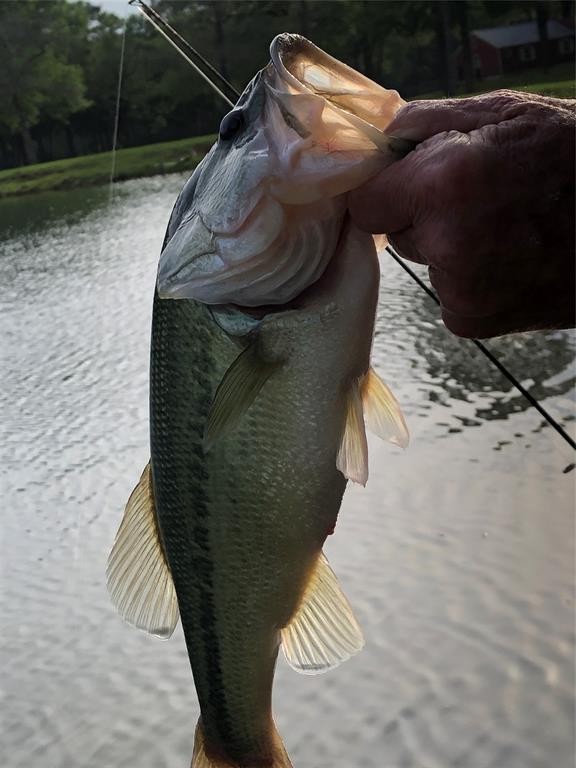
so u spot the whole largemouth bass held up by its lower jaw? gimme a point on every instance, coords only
(259, 393)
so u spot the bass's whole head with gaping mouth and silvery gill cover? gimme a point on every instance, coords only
(269, 200)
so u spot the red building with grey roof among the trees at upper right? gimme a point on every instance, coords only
(518, 46)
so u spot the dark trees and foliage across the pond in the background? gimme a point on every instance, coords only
(59, 79)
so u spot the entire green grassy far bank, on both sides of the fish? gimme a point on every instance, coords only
(185, 154)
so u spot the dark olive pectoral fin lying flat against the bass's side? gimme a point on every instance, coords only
(236, 393)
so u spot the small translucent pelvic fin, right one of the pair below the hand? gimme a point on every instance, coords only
(381, 410)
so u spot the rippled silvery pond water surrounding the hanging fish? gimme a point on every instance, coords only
(457, 557)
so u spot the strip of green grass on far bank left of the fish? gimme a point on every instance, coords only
(92, 170)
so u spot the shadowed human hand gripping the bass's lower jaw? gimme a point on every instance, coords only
(487, 202)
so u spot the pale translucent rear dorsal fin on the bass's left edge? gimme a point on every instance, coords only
(138, 575)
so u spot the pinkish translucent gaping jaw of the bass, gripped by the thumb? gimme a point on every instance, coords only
(340, 113)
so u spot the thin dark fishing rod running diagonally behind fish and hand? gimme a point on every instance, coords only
(227, 91)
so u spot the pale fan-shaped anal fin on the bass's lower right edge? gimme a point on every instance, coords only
(323, 632)
